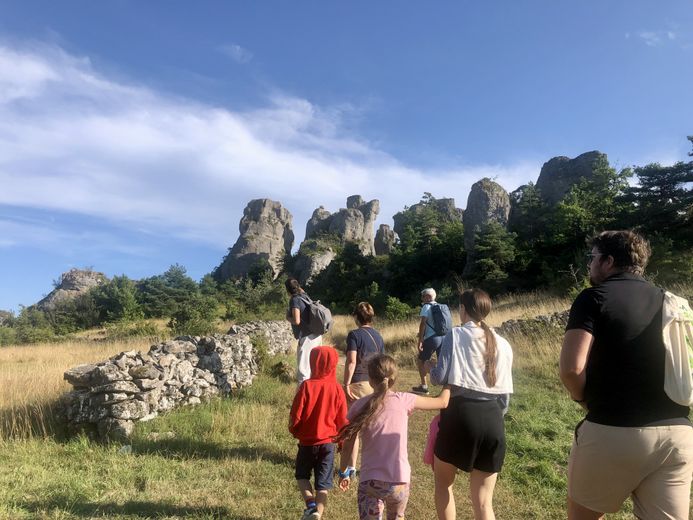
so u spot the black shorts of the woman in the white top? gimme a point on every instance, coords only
(472, 435)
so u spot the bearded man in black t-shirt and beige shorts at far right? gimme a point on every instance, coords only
(634, 441)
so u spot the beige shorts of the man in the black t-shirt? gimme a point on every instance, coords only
(654, 465)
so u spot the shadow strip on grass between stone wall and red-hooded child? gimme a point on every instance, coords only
(187, 448)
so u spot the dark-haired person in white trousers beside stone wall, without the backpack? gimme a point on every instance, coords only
(298, 317)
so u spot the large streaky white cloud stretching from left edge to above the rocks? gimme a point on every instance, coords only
(73, 140)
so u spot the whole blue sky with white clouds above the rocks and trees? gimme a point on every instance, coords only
(132, 134)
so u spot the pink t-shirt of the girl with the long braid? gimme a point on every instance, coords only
(384, 439)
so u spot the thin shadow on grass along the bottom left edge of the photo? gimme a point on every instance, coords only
(134, 509)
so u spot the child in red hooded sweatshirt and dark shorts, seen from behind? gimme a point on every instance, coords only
(317, 414)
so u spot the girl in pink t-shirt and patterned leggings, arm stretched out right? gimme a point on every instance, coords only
(382, 419)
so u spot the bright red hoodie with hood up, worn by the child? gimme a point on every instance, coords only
(319, 408)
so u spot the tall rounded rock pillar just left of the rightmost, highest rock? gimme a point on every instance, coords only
(487, 202)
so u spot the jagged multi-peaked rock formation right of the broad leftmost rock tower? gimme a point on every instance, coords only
(326, 232)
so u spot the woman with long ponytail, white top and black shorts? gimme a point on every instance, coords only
(476, 362)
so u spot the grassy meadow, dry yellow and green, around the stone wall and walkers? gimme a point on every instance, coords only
(233, 458)
